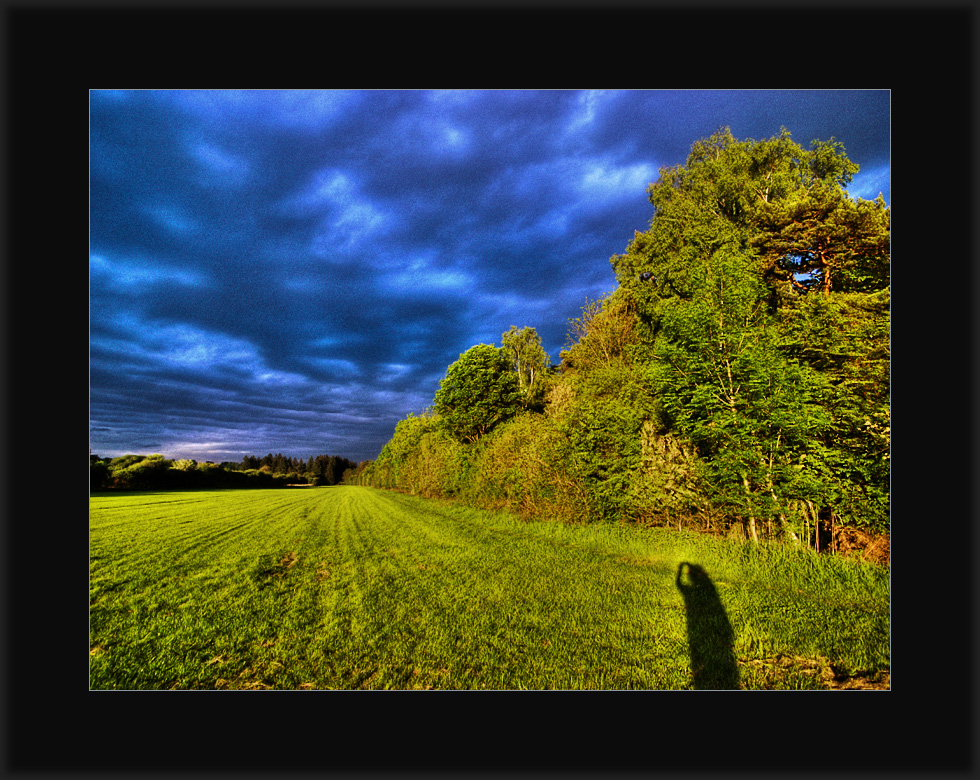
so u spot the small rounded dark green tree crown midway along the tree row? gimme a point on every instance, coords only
(478, 393)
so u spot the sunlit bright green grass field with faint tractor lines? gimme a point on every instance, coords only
(350, 587)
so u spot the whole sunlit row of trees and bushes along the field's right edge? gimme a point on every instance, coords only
(736, 379)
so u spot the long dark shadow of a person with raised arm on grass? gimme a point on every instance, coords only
(709, 633)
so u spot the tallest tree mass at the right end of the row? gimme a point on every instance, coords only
(785, 396)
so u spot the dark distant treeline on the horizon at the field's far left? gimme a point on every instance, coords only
(155, 472)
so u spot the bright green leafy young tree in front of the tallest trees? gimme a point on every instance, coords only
(724, 385)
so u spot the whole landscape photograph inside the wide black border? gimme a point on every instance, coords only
(490, 390)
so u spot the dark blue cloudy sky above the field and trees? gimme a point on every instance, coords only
(293, 271)
